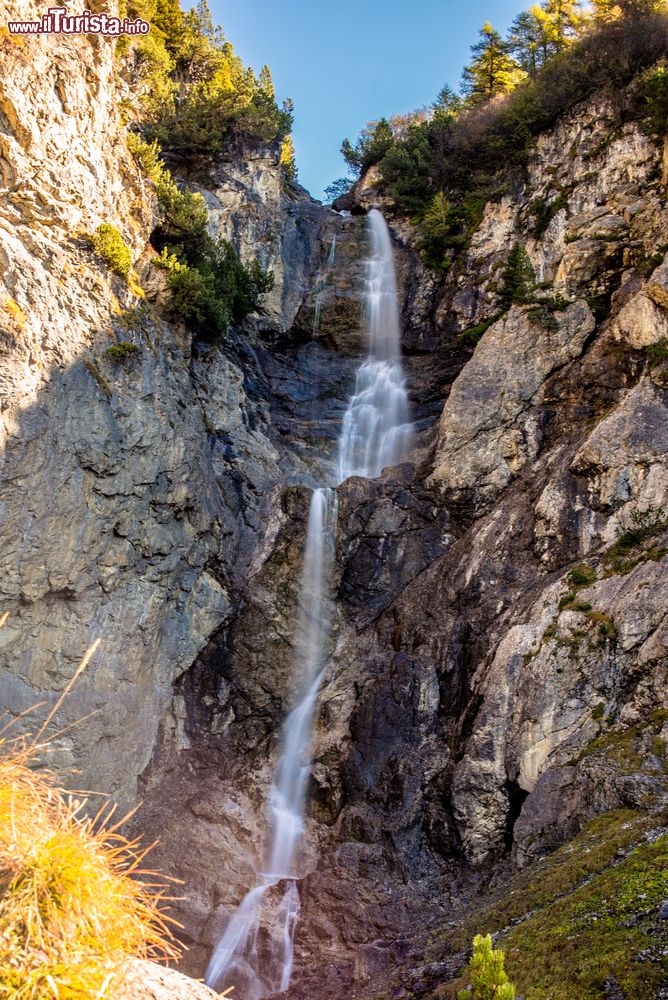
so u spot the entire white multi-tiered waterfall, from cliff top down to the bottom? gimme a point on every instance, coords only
(255, 953)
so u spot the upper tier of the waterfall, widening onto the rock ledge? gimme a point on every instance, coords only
(376, 432)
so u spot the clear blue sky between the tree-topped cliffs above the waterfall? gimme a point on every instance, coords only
(346, 63)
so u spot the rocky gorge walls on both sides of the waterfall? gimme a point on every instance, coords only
(492, 639)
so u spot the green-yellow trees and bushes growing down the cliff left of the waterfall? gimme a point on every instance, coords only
(194, 99)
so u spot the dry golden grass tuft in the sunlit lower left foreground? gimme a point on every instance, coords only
(75, 902)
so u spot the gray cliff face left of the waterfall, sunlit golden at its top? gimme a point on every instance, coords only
(134, 494)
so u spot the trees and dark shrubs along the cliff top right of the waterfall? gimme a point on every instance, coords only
(441, 165)
